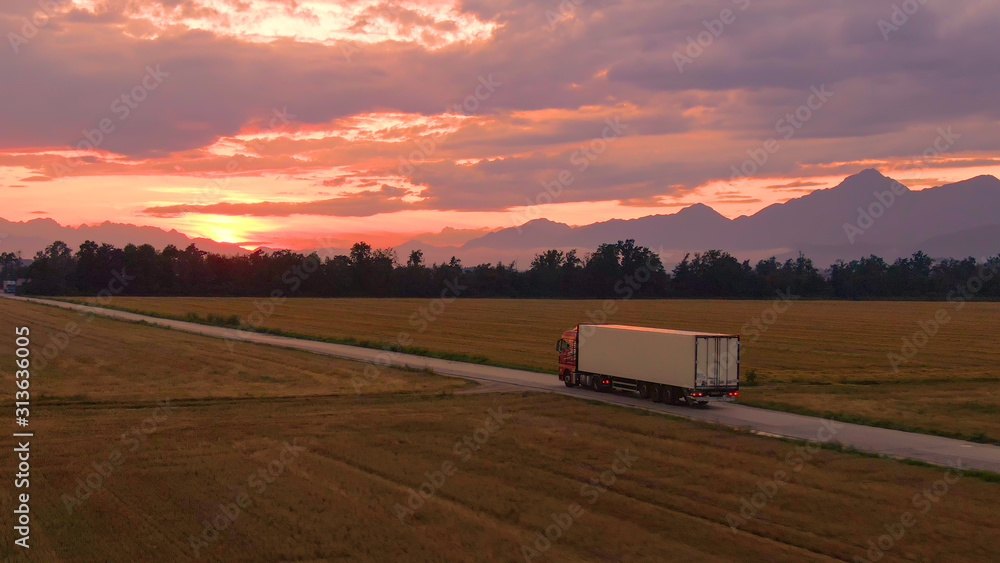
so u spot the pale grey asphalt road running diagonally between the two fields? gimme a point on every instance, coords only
(895, 443)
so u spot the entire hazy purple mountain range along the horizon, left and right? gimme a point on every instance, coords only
(867, 213)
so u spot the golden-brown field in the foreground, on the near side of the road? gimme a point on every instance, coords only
(276, 449)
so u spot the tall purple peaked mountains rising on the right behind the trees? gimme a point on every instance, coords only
(953, 220)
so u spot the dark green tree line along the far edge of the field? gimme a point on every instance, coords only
(614, 270)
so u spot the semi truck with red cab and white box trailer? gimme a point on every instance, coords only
(665, 366)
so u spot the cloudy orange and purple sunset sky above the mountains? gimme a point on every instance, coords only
(281, 123)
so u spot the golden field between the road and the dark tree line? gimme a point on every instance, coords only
(816, 357)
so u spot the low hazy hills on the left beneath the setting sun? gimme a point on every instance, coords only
(31, 236)
